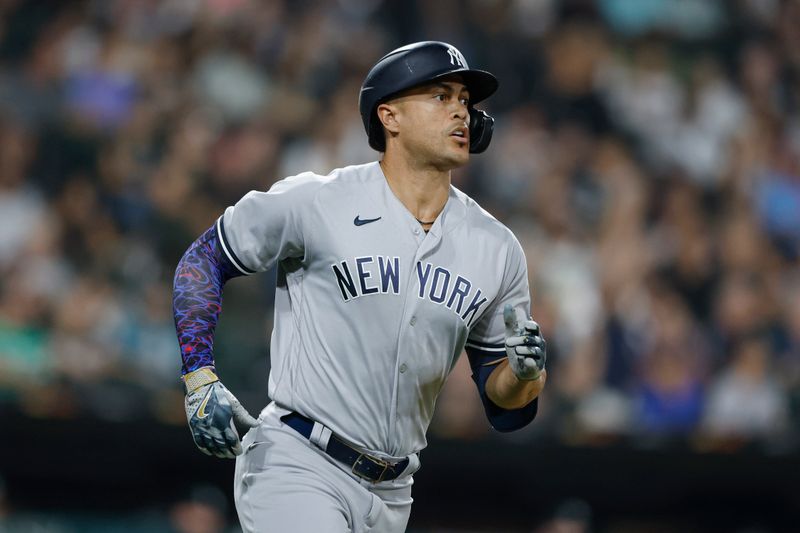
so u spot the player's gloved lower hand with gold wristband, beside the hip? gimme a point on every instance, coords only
(211, 410)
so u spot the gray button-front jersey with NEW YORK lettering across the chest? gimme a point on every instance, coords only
(371, 312)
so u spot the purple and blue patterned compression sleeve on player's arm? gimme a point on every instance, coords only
(197, 298)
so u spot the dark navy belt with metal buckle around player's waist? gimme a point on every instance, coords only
(363, 465)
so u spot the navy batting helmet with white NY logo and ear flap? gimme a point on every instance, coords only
(413, 65)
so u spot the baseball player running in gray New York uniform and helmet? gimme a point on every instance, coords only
(386, 272)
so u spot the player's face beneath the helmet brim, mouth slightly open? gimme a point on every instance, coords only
(432, 123)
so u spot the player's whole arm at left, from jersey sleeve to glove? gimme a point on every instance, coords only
(261, 228)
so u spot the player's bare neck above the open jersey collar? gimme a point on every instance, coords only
(423, 191)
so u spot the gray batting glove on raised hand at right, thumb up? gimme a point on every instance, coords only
(526, 349)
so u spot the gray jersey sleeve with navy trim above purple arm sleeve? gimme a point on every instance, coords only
(264, 227)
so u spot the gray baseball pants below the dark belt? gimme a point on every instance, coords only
(285, 484)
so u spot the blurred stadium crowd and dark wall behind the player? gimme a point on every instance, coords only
(647, 154)
